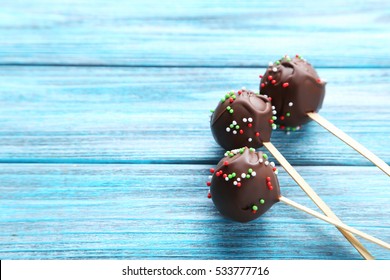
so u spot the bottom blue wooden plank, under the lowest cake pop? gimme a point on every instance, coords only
(60, 211)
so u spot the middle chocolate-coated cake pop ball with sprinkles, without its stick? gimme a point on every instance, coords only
(242, 119)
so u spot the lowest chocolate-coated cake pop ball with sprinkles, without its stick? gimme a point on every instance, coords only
(241, 197)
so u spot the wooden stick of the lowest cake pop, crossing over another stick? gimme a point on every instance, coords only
(334, 222)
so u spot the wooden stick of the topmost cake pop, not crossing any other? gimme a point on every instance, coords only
(350, 141)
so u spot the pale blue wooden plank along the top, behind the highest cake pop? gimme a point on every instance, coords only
(194, 33)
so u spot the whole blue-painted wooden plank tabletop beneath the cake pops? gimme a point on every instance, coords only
(104, 136)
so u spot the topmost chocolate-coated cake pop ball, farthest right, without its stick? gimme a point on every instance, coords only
(295, 89)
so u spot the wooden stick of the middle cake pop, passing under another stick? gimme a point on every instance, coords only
(315, 198)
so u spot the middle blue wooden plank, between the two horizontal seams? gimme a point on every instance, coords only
(142, 115)
